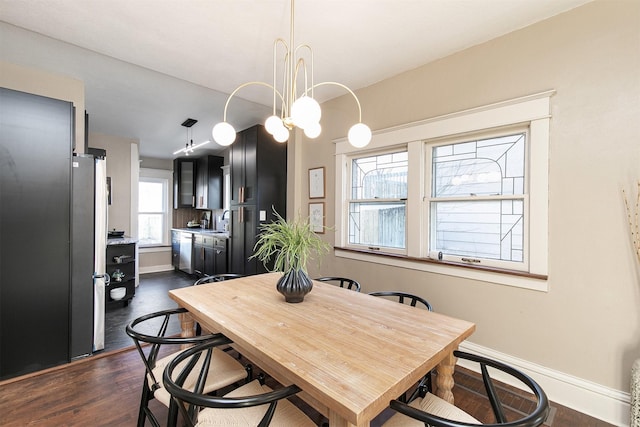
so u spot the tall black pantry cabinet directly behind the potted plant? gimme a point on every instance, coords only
(258, 185)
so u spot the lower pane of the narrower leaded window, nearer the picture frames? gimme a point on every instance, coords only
(377, 224)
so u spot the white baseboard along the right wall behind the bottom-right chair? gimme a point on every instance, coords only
(595, 400)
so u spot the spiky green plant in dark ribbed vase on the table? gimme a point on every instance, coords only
(291, 244)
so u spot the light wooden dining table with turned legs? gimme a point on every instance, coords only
(350, 353)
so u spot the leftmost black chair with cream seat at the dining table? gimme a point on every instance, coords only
(153, 329)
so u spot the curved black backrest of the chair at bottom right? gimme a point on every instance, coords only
(535, 417)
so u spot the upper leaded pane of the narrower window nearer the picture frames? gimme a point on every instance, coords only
(380, 177)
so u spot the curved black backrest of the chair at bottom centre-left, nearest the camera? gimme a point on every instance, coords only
(190, 401)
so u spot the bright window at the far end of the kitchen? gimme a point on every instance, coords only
(153, 207)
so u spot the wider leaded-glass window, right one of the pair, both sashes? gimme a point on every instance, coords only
(477, 201)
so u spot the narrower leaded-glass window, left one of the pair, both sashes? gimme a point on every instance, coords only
(377, 205)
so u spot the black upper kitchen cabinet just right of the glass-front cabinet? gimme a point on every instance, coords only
(209, 182)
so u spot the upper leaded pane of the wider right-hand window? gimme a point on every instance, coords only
(492, 166)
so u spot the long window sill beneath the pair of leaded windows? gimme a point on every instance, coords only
(518, 279)
